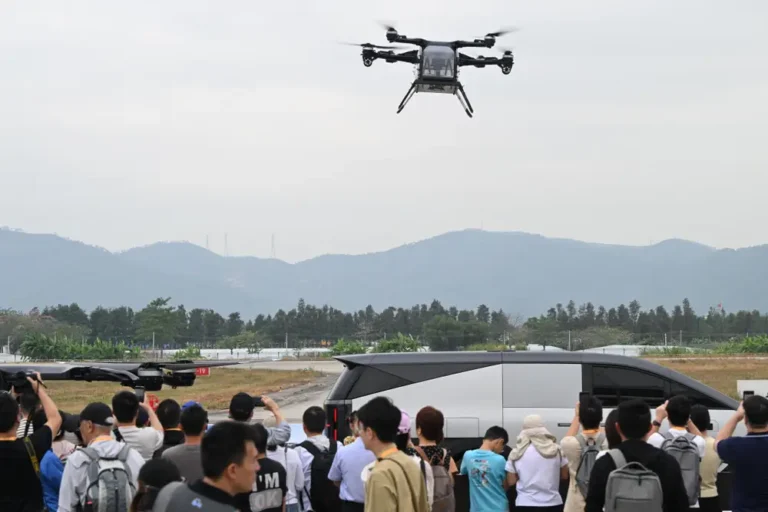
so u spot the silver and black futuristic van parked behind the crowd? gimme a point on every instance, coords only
(477, 390)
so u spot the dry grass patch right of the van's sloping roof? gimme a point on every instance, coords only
(720, 373)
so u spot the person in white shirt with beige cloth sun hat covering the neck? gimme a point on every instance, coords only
(537, 465)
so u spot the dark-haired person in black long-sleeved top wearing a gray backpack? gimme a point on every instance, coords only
(634, 425)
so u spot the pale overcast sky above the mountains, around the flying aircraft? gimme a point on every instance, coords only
(128, 123)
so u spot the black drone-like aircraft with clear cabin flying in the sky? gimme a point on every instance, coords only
(437, 62)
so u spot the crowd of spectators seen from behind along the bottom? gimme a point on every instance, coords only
(127, 457)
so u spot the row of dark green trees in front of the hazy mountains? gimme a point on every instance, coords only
(440, 327)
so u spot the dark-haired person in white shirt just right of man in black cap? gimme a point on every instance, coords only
(146, 441)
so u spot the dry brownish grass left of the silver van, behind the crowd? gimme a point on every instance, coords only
(214, 391)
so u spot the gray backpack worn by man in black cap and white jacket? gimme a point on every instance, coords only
(109, 485)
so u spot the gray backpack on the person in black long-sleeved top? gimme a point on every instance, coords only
(632, 487)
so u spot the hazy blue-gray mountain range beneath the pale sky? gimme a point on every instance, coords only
(519, 272)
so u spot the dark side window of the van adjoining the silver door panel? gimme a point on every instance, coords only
(614, 384)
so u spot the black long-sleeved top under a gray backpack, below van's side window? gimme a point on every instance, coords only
(663, 464)
